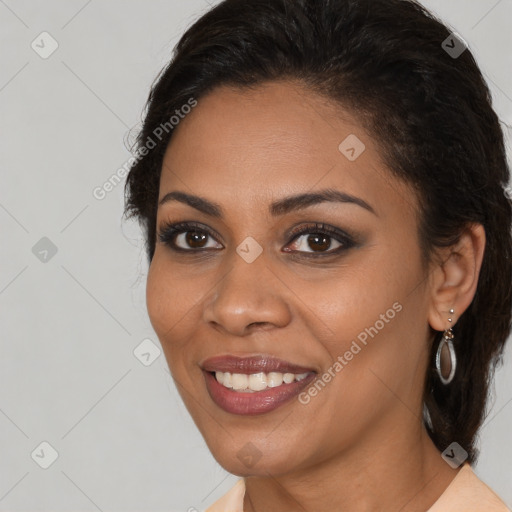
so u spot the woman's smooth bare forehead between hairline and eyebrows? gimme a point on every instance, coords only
(249, 146)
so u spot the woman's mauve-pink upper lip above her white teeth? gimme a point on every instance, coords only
(251, 364)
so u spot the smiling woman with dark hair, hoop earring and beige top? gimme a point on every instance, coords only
(322, 189)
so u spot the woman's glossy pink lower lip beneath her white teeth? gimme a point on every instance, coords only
(257, 402)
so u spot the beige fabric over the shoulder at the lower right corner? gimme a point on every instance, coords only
(467, 493)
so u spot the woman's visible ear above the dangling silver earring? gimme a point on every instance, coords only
(454, 278)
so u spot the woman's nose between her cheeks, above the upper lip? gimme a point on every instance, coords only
(248, 297)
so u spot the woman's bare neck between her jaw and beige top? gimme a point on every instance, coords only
(395, 473)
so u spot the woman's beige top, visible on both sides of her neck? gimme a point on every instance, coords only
(466, 493)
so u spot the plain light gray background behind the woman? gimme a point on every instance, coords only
(70, 324)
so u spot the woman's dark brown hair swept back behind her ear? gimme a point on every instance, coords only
(429, 111)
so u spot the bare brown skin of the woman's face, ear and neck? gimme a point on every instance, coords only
(360, 444)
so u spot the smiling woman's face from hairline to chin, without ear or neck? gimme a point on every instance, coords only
(344, 313)
